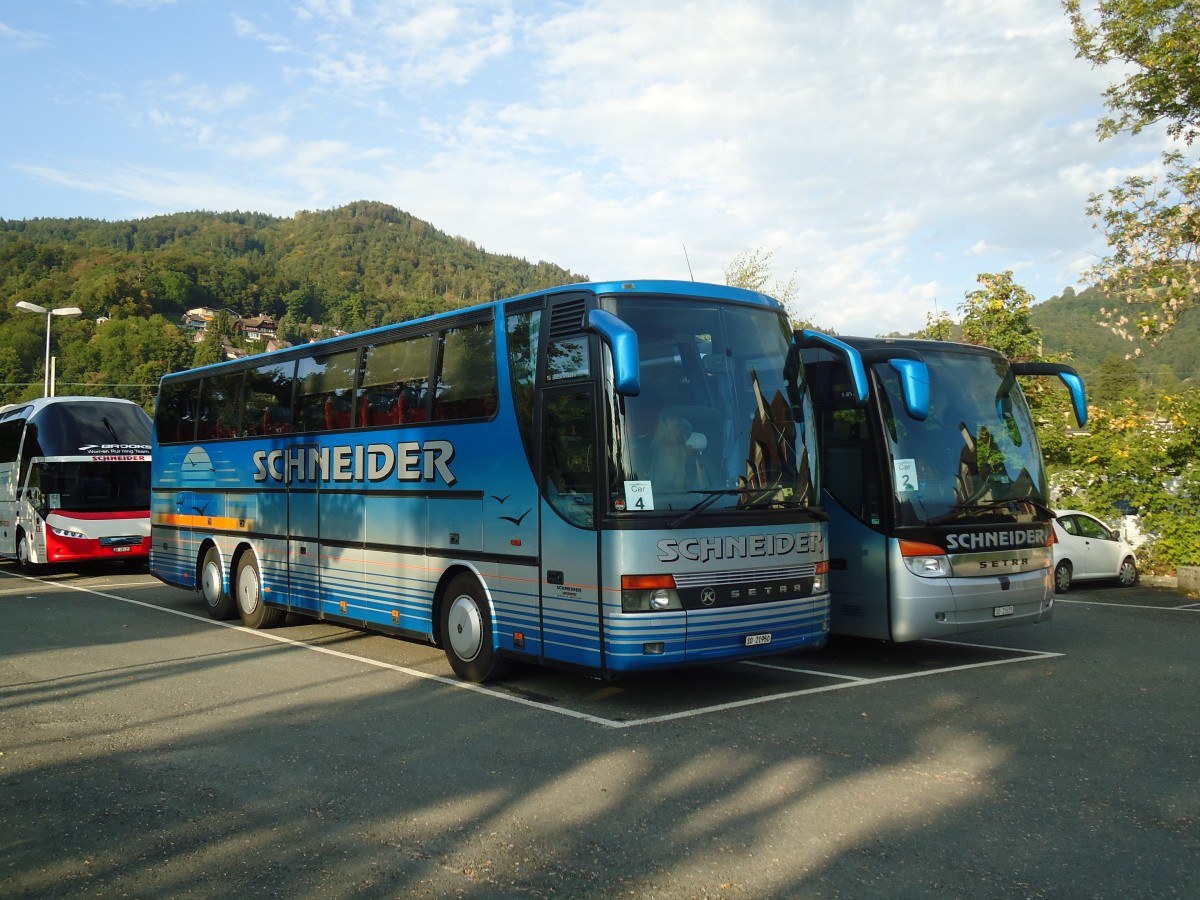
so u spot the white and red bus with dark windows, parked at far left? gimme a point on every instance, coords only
(75, 482)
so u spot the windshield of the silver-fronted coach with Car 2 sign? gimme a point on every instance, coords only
(976, 454)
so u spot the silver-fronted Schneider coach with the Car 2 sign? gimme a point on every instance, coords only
(935, 488)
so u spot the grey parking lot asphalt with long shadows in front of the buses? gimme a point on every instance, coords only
(149, 752)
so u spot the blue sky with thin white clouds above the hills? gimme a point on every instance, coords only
(885, 152)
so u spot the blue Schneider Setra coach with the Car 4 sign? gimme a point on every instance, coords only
(608, 477)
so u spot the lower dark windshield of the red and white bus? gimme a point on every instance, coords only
(89, 487)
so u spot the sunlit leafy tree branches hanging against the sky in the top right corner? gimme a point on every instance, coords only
(1151, 225)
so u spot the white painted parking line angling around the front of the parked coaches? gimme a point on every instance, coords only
(844, 681)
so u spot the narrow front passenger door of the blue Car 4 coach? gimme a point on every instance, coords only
(571, 585)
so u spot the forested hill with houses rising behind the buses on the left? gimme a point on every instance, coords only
(357, 267)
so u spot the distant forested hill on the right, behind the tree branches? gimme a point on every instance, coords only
(1075, 325)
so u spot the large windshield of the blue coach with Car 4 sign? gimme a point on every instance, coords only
(721, 419)
